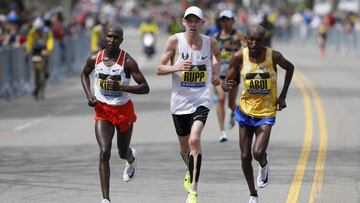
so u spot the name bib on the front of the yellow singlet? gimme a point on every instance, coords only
(258, 83)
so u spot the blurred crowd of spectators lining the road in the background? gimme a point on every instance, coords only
(85, 14)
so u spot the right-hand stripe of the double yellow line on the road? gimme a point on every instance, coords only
(322, 148)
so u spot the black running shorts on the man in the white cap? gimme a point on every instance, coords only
(184, 122)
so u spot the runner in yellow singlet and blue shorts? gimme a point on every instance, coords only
(258, 102)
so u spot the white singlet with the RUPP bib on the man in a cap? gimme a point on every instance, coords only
(190, 89)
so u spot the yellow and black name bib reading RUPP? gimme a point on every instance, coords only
(195, 77)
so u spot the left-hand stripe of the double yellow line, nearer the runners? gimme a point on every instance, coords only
(305, 150)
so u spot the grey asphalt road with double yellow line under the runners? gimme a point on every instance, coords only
(48, 151)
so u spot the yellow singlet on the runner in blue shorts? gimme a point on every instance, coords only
(259, 94)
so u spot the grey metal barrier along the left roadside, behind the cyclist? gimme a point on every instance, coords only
(16, 75)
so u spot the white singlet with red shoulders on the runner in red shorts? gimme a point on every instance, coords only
(115, 72)
